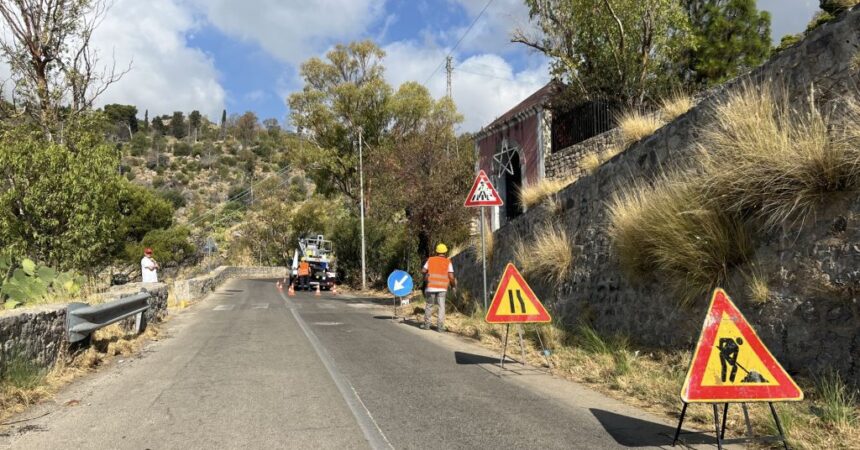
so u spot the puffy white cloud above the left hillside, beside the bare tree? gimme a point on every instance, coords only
(167, 75)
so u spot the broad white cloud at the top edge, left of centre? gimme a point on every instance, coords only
(292, 30)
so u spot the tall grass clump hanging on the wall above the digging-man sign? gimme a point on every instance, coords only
(670, 229)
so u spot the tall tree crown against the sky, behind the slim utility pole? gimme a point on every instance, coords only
(341, 95)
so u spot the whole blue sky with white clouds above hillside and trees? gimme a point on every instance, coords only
(244, 55)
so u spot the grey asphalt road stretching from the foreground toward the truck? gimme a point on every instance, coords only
(249, 367)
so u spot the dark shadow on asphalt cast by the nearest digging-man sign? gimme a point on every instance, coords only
(633, 432)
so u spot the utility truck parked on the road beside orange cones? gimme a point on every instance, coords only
(319, 254)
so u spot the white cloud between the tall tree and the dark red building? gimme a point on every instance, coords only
(484, 86)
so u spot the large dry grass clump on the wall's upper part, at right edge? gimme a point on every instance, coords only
(774, 163)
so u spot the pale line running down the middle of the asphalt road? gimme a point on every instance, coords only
(372, 433)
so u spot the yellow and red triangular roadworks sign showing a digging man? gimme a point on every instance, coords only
(731, 364)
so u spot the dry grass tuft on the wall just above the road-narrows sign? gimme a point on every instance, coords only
(549, 255)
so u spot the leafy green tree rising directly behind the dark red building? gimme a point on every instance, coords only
(615, 49)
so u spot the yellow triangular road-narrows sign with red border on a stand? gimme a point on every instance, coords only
(515, 302)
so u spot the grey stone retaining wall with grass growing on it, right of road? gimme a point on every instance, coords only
(812, 318)
